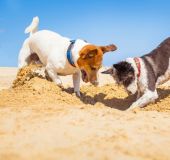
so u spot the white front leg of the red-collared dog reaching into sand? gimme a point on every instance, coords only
(148, 96)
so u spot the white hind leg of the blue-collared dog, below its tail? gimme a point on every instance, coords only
(24, 54)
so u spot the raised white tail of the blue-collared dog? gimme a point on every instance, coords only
(33, 27)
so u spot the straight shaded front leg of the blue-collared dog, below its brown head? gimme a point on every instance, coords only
(76, 83)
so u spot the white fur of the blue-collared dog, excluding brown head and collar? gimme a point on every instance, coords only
(51, 48)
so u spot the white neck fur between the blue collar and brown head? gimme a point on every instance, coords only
(79, 44)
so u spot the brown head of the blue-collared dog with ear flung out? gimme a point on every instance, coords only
(90, 61)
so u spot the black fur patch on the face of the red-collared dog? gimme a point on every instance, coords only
(125, 73)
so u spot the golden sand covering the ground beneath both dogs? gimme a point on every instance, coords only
(40, 120)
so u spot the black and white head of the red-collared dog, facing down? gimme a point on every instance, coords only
(124, 74)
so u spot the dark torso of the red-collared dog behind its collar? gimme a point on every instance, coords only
(157, 62)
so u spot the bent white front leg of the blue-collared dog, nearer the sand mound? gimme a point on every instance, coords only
(53, 75)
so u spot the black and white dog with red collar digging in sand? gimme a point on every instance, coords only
(142, 75)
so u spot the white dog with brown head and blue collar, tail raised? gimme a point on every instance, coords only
(61, 56)
